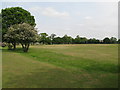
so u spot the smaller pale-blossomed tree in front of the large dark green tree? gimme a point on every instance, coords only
(23, 34)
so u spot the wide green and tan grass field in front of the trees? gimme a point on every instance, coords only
(62, 66)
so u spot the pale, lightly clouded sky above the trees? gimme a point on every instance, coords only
(87, 19)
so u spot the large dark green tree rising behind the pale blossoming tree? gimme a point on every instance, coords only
(15, 15)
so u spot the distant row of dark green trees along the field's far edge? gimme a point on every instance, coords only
(44, 38)
